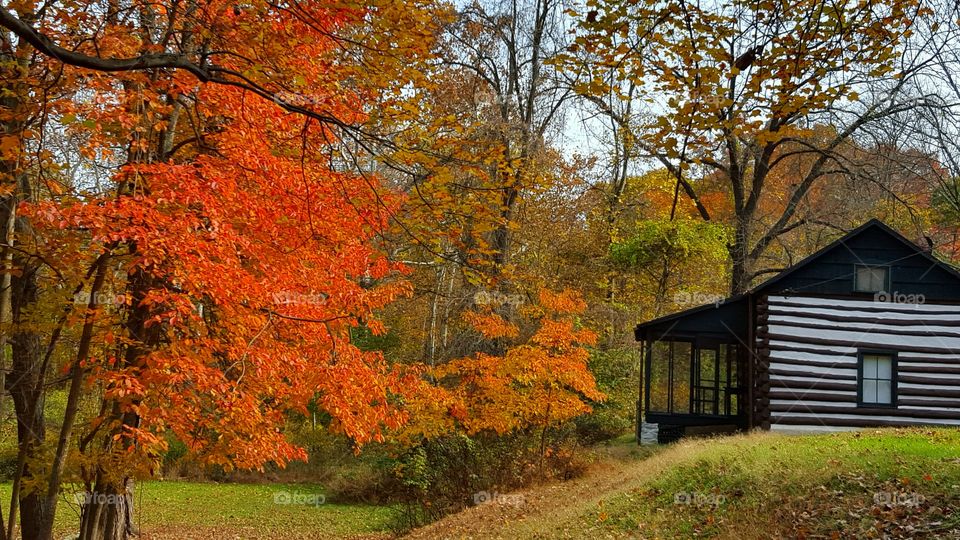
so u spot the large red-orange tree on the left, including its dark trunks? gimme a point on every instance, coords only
(212, 268)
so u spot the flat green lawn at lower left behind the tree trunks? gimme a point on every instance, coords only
(207, 510)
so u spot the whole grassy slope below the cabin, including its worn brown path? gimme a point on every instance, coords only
(893, 483)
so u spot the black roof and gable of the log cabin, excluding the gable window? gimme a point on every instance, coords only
(827, 271)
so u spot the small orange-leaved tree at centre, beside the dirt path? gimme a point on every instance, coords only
(541, 378)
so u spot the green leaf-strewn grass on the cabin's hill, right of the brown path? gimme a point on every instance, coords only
(826, 485)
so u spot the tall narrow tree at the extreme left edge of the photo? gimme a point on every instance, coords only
(26, 86)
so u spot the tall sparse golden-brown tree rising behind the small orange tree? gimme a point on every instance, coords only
(493, 114)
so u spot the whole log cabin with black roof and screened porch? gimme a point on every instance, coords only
(865, 332)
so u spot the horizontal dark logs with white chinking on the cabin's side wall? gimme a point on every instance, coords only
(812, 345)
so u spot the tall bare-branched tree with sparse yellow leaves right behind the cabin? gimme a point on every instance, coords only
(731, 86)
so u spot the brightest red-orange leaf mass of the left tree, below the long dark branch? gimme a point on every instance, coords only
(262, 261)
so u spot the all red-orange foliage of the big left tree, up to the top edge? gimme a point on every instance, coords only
(259, 251)
